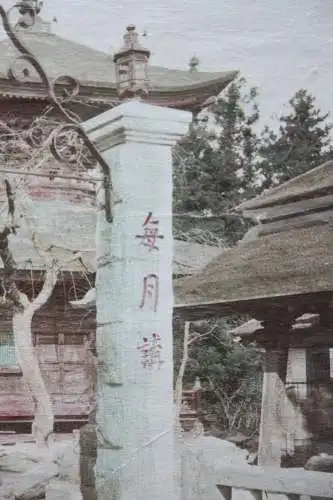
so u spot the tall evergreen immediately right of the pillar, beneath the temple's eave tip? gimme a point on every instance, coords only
(213, 164)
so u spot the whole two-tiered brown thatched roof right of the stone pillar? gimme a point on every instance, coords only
(292, 257)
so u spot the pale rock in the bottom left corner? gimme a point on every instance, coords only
(28, 485)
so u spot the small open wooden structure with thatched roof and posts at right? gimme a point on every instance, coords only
(281, 275)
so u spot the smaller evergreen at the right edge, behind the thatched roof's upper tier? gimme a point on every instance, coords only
(302, 142)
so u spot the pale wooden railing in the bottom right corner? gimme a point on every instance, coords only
(244, 483)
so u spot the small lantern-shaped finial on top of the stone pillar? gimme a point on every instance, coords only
(132, 66)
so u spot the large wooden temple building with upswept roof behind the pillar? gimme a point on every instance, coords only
(63, 212)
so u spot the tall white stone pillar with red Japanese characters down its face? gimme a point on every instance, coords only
(134, 300)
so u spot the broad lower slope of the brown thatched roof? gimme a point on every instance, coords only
(288, 263)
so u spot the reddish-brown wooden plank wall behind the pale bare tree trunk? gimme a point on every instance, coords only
(58, 334)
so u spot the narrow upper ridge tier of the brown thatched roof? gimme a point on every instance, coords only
(315, 182)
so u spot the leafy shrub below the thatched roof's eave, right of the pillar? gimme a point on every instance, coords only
(230, 375)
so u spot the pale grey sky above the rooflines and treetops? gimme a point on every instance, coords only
(278, 46)
